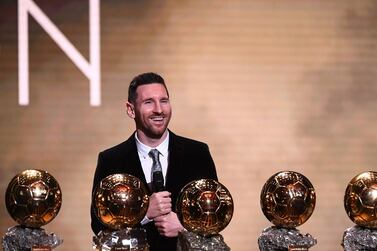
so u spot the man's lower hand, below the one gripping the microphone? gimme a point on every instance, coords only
(168, 225)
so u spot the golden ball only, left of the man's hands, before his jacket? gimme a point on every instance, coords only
(121, 201)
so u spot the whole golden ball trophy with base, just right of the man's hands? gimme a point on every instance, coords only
(204, 207)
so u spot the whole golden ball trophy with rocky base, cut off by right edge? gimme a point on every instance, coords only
(360, 202)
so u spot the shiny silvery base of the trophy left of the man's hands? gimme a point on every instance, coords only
(129, 239)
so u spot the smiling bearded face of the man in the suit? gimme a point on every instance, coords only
(151, 110)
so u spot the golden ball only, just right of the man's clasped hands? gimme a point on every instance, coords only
(204, 207)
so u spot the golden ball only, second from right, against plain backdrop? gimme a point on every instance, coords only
(288, 199)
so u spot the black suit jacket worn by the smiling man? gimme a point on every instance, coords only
(189, 160)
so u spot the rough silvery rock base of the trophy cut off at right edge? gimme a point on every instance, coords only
(359, 238)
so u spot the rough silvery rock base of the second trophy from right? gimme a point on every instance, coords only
(284, 239)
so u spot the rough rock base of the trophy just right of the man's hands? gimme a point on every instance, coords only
(188, 241)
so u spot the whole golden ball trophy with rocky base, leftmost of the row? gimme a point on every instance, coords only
(33, 199)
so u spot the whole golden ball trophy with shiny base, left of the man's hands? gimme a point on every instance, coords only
(121, 202)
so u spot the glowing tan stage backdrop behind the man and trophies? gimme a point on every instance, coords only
(269, 85)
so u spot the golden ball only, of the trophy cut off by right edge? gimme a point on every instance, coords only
(360, 199)
